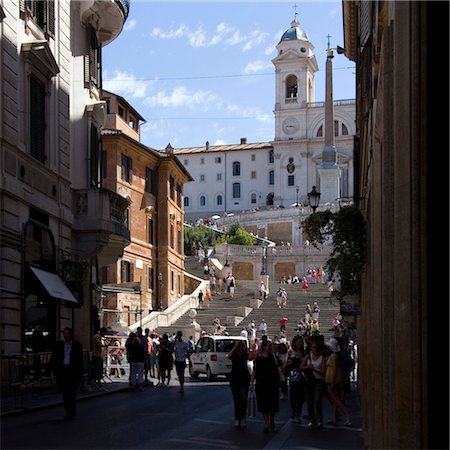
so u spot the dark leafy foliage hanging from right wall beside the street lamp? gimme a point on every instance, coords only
(347, 230)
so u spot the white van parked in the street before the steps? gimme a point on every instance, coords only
(210, 356)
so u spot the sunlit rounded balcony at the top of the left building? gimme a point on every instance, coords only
(106, 16)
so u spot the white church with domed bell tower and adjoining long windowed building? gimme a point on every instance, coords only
(279, 173)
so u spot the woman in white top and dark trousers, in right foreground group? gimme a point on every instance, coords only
(314, 362)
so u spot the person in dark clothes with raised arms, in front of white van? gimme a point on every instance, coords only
(239, 381)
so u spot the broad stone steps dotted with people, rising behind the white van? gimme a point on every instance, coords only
(247, 306)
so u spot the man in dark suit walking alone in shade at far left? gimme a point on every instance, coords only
(67, 361)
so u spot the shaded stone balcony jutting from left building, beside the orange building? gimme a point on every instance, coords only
(100, 224)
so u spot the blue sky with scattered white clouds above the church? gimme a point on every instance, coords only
(202, 71)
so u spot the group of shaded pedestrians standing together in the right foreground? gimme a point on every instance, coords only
(303, 371)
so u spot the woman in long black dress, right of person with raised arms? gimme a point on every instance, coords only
(267, 380)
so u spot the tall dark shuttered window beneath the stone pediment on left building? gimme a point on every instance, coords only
(37, 119)
